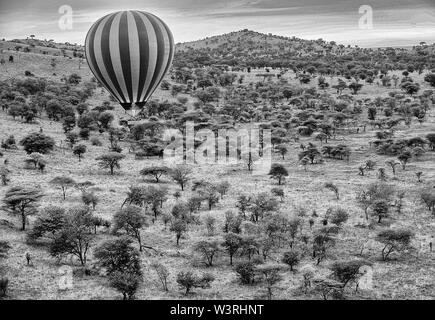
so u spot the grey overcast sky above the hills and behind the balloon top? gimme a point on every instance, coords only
(395, 22)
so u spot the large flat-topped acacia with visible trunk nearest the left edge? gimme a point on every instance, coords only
(23, 202)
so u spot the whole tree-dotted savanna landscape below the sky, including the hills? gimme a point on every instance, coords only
(347, 210)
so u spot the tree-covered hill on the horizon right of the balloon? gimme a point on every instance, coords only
(249, 48)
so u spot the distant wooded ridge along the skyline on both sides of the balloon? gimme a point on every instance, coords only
(238, 44)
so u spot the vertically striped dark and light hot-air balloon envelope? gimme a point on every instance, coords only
(129, 52)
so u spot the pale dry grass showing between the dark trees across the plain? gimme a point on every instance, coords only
(405, 278)
